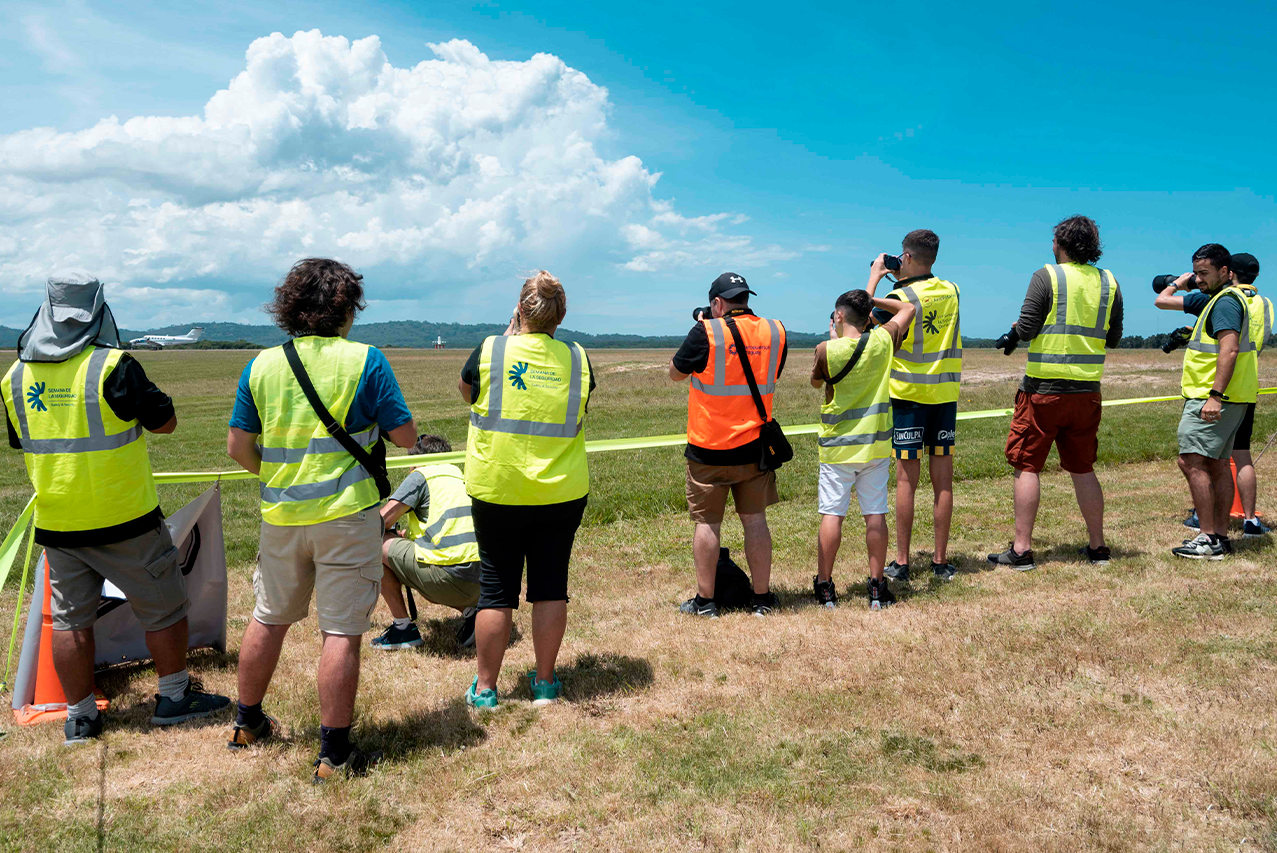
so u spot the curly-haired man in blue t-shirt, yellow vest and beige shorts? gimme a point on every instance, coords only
(321, 531)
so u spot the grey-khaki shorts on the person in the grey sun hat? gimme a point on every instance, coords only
(144, 568)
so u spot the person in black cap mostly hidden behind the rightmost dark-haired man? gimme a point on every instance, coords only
(1244, 269)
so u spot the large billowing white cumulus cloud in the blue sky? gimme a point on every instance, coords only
(460, 167)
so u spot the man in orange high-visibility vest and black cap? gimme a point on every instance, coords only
(725, 430)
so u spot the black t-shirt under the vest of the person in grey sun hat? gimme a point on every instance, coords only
(131, 395)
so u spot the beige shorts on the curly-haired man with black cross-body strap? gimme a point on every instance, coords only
(339, 560)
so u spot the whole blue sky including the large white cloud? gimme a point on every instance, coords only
(790, 149)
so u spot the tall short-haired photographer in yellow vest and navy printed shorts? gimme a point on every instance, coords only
(926, 377)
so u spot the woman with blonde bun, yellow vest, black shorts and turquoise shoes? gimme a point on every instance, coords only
(528, 481)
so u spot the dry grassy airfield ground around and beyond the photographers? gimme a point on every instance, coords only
(1072, 708)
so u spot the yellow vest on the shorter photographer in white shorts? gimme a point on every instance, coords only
(856, 425)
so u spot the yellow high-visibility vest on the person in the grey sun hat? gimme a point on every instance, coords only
(89, 468)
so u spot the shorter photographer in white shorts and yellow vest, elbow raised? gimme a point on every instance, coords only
(855, 370)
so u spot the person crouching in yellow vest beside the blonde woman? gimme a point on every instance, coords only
(439, 559)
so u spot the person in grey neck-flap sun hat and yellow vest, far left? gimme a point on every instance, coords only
(77, 407)
